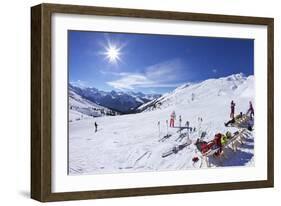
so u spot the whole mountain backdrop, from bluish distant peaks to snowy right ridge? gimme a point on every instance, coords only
(116, 103)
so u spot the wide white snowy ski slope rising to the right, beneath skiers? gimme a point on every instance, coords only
(130, 143)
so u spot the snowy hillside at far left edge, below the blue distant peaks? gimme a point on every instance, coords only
(80, 107)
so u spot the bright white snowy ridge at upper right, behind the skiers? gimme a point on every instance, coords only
(223, 87)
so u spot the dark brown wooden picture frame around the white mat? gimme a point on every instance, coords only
(41, 97)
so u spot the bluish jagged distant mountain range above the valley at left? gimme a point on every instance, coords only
(121, 102)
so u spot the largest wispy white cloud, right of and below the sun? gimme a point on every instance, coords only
(164, 74)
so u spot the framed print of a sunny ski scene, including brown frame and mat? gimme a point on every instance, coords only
(130, 102)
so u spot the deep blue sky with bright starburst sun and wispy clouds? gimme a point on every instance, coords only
(153, 63)
